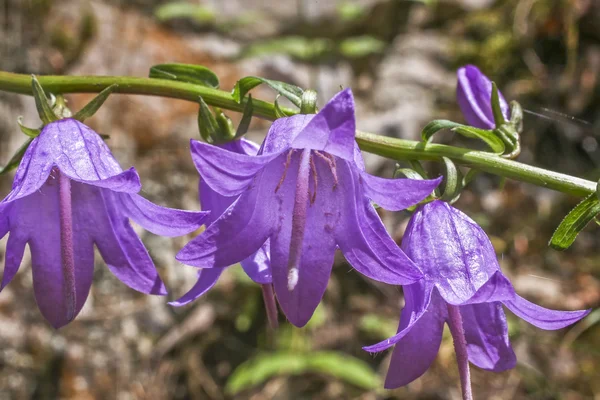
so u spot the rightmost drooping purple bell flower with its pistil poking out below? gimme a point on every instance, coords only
(461, 270)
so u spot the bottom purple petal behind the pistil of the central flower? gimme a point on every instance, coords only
(317, 249)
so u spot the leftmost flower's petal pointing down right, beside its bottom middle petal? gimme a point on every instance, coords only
(119, 245)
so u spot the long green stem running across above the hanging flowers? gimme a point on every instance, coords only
(397, 149)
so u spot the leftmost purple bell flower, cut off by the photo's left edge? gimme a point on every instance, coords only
(68, 195)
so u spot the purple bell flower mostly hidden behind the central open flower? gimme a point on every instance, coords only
(257, 266)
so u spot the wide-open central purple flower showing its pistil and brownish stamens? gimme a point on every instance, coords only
(307, 192)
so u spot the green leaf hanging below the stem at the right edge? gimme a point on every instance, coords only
(574, 222)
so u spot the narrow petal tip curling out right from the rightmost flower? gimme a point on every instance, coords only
(542, 317)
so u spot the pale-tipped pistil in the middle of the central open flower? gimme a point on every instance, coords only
(299, 219)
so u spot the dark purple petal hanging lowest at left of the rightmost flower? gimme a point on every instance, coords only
(415, 353)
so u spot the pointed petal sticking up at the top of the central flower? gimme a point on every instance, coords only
(333, 129)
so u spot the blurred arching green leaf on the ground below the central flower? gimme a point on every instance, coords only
(263, 367)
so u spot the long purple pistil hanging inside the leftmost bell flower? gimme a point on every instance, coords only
(66, 243)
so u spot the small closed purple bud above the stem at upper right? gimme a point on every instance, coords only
(473, 93)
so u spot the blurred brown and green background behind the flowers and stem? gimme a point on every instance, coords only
(400, 59)
